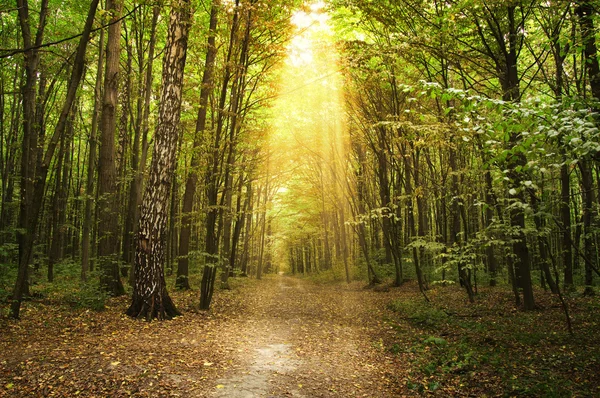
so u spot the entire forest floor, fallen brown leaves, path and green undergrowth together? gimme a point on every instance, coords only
(290, 337)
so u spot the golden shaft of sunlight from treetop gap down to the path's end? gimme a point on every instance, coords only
(308, 145)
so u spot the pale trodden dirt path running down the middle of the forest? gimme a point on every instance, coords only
(307, 340)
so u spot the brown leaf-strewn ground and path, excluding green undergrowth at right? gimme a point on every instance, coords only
(279, 337)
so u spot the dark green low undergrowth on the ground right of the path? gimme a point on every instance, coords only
(492, 349)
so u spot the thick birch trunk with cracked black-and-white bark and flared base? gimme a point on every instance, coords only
(150, 297)
